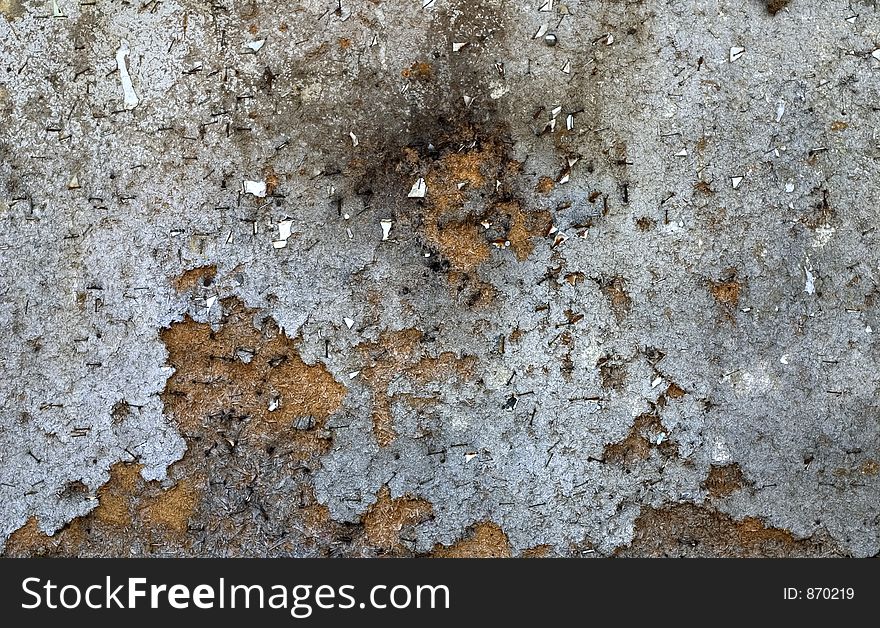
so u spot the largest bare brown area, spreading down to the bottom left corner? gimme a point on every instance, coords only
(219, 396)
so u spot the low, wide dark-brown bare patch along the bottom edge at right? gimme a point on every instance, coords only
(687, 530)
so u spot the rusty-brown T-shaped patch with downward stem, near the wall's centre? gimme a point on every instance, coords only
(401, 354)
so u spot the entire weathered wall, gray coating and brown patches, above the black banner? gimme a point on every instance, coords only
(397, 278)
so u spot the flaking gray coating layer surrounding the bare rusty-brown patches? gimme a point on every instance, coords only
(782, 382)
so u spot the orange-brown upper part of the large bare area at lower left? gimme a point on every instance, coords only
(258, 372)
